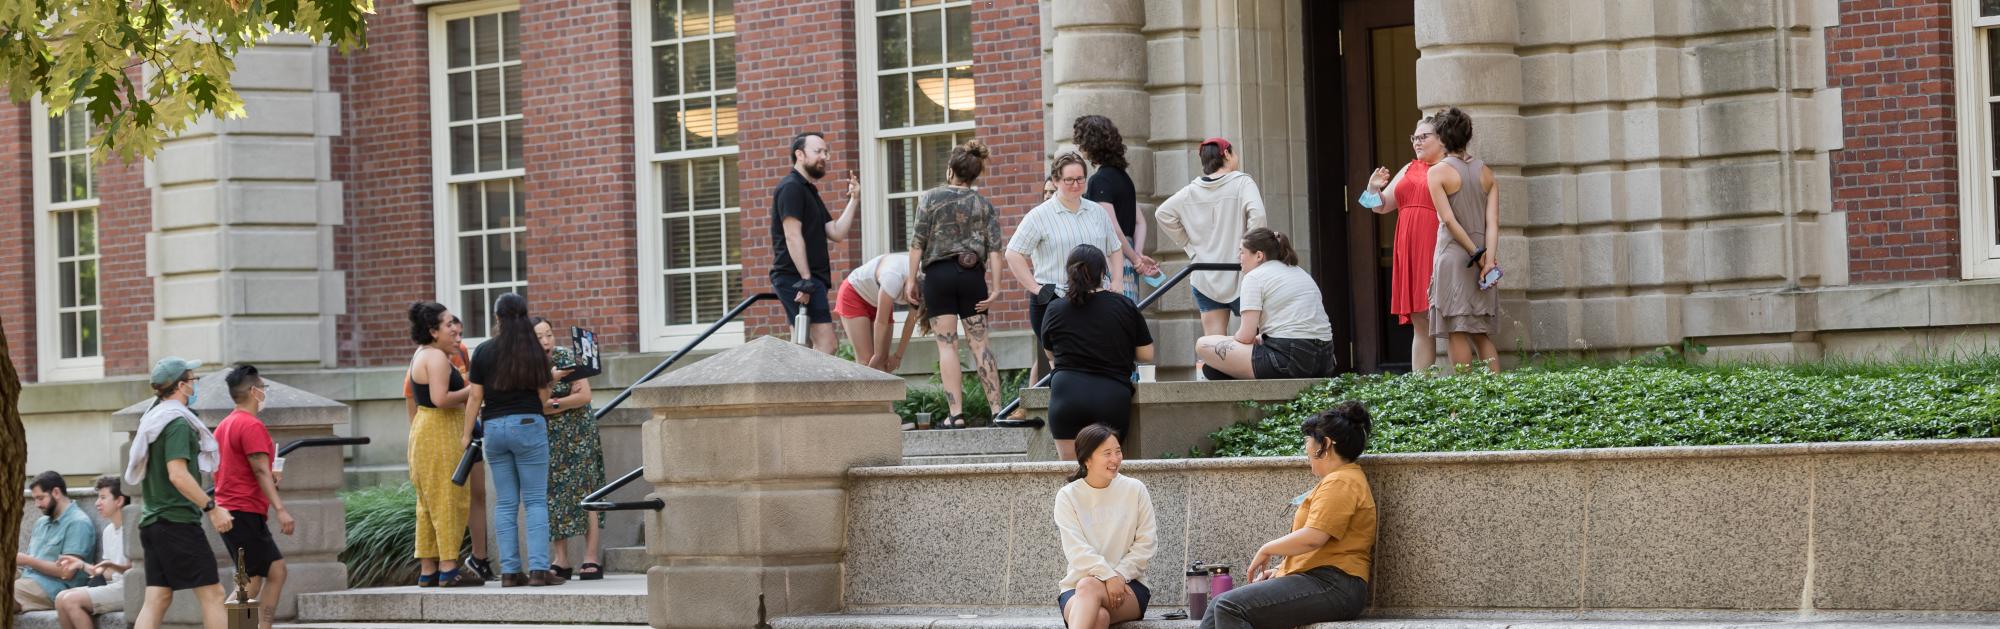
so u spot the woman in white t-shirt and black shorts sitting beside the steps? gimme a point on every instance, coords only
(1285, 332)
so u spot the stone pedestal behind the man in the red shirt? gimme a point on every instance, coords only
(311, 480)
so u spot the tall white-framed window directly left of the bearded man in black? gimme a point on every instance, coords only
(689, 151)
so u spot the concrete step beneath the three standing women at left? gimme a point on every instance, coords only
(617, 600)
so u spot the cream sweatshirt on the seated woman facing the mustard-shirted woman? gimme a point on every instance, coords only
(1105, 532)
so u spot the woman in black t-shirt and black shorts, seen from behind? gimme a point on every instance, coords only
(1097, 346)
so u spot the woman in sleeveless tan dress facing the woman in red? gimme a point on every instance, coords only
(1469, 237)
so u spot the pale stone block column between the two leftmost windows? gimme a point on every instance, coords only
(245, 215)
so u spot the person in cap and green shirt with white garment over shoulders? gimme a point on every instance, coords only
(171, 524)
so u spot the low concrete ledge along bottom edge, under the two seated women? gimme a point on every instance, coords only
(989, 618)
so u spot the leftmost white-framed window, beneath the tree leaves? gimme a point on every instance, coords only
(67, 221)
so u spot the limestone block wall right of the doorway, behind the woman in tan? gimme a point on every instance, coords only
(1655, 159)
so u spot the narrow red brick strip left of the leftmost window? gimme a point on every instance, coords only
(17, 237)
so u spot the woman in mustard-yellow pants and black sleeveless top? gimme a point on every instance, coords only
(439, 396)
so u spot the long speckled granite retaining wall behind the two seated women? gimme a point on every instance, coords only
(1785, 528)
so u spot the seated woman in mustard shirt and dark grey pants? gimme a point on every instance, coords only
(1325, 572)
